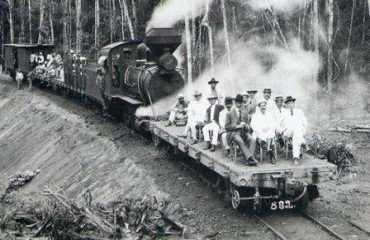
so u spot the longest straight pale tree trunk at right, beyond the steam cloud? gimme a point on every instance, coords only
(330, 10)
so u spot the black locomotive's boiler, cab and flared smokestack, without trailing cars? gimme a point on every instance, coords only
(140, 73)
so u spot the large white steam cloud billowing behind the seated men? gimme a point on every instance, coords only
(290, 73)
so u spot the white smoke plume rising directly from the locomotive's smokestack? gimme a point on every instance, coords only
(172, 11)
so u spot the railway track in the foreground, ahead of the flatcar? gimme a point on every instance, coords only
(297, 225)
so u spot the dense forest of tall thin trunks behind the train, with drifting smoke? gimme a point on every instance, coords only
(329, 38)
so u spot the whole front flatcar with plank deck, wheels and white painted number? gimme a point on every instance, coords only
(277, 187)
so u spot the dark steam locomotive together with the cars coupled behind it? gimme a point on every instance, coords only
(136, 73)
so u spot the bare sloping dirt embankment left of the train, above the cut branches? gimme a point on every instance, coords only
(37, 134)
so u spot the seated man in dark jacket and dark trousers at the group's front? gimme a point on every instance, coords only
(236, 125)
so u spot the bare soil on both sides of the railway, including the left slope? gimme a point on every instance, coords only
(76, 149)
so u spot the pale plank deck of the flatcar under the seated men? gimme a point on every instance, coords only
(310, 169)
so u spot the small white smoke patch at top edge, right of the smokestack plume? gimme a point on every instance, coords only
(284, 6)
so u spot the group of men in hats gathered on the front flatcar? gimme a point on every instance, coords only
(243, 121)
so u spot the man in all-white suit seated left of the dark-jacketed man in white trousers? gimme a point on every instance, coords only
(196, 115)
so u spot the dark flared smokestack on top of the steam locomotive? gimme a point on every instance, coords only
(161, 40)
